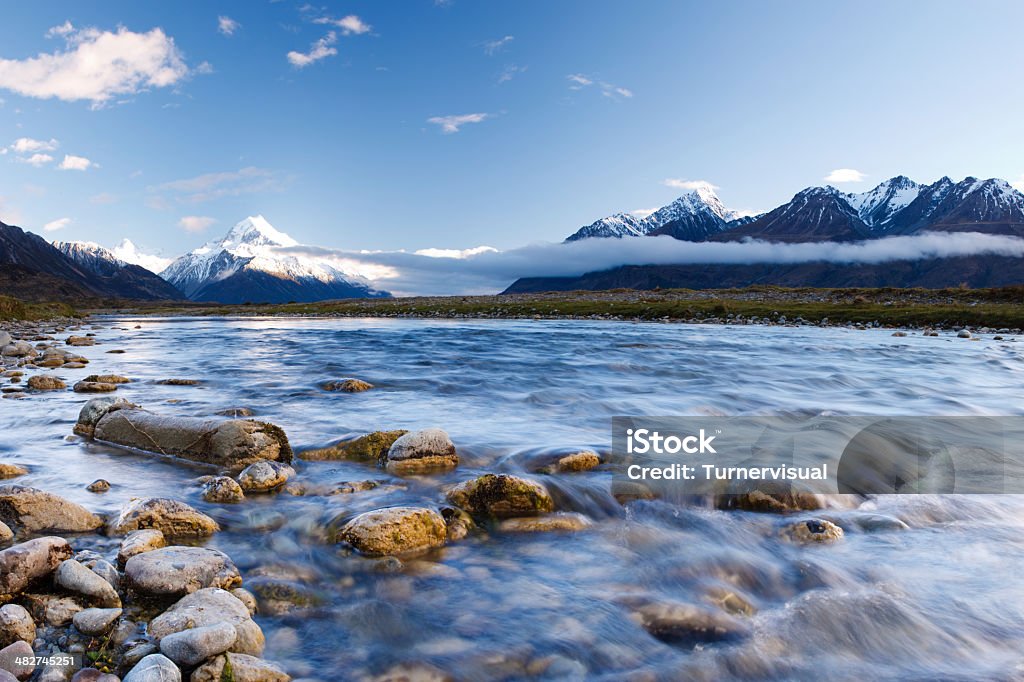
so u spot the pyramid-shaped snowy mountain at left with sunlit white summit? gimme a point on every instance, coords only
(249, 265)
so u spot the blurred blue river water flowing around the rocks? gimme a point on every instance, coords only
(942, 599)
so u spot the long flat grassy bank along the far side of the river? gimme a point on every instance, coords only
(900, 308)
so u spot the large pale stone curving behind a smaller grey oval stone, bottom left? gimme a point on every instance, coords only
(207, 608)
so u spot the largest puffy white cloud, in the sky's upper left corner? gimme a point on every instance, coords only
(98, 66)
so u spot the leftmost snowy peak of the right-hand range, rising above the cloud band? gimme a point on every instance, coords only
(695, 217)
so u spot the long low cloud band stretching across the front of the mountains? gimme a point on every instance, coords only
(485, 271)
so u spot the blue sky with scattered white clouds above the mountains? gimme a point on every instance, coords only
(457, 124)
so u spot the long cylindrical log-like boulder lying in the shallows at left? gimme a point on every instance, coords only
(235, 443)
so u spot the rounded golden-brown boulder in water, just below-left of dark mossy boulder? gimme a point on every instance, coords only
(396, 531)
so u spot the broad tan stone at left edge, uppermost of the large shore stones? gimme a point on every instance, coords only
(33, 510)
